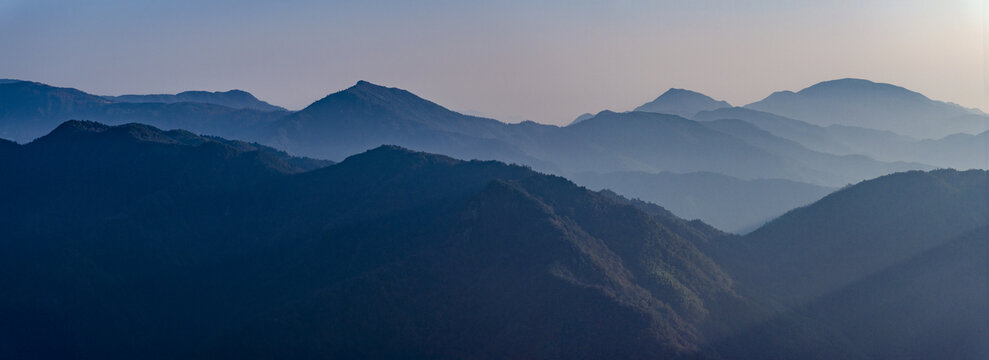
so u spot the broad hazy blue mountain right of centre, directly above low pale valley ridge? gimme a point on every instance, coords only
(654, 142)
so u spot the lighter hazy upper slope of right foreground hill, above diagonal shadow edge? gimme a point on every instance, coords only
(858, 231)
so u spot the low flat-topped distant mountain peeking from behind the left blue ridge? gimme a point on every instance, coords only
(234, 99)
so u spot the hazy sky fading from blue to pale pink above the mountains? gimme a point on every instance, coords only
(547, 61)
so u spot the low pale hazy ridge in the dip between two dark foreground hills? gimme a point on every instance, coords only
(728, 203)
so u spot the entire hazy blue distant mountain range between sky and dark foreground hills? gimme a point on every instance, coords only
(745, 145)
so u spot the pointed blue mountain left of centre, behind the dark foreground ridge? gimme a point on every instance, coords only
(366, 115)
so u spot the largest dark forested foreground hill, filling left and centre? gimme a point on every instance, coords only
(131, 242)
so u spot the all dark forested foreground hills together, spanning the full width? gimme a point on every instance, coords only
(133, 242)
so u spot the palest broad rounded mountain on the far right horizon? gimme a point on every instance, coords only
(857, 102)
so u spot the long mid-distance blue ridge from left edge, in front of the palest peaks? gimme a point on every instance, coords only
(366, 116)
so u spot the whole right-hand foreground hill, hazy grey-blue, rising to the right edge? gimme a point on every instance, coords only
(898, 264)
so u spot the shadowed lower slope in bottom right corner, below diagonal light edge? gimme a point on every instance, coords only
(935, 305)
